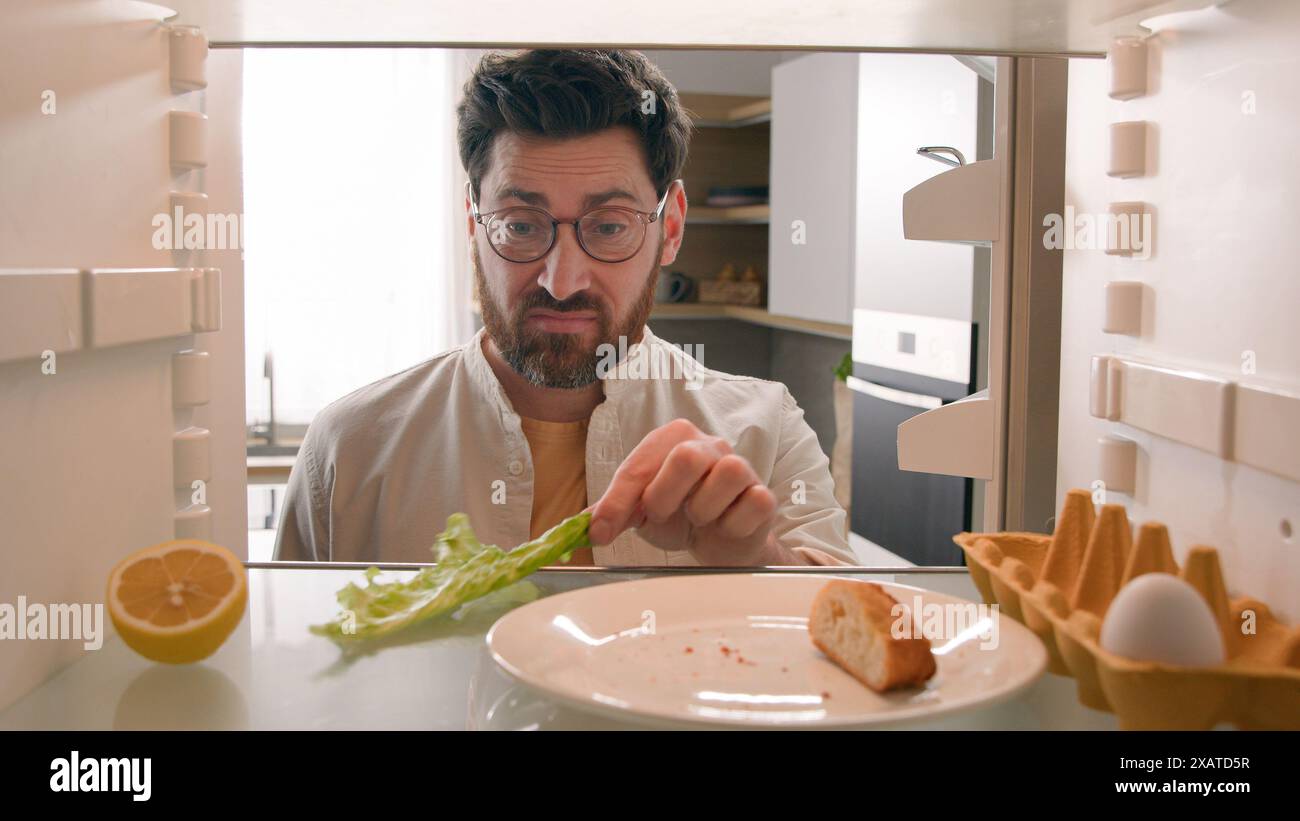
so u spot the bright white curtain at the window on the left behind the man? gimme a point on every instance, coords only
(356, 257)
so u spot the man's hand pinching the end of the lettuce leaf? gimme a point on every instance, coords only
(686, 490)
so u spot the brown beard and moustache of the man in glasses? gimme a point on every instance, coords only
(560, 360)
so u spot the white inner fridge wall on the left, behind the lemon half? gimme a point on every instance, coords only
(88, 451)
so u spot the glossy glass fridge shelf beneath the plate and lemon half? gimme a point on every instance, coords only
(272, 674)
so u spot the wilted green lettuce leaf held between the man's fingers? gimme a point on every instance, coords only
(466, 571)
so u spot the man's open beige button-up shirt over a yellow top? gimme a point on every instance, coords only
(383, 468)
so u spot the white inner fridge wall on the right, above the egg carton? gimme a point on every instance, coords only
(1221, 283)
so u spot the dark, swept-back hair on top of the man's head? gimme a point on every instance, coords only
(573, 93)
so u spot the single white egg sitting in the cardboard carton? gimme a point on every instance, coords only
(1160, 618)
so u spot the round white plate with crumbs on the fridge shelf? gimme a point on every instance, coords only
(734, 650)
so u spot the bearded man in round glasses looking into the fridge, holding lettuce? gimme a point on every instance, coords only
(566, 399)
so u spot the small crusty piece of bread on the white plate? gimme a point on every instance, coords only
(851, 624)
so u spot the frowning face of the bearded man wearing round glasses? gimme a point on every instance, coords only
(548, 319)
